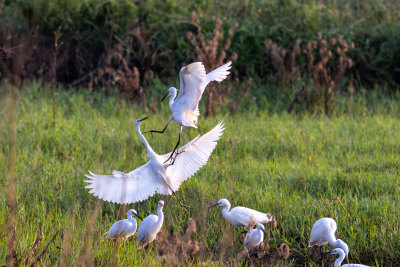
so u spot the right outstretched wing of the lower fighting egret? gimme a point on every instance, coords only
(193, 156)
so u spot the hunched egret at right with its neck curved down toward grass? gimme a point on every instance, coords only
(323, 232)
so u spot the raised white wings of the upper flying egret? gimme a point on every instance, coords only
(193, 81)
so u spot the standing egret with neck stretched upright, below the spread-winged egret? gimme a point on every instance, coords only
(150, 226)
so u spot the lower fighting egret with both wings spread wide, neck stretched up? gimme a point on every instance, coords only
(155, 176)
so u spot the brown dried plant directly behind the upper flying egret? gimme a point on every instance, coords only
(208, 53)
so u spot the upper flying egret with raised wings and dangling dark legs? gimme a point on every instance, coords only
(185, 108)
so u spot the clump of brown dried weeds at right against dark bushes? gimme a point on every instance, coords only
(327, 62)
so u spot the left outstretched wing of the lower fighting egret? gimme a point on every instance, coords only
(122, 188)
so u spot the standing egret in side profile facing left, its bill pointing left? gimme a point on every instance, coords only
(241, 216)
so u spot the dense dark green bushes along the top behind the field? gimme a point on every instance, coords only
(87, 29)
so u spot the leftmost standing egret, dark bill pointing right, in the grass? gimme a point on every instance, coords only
(123, 228)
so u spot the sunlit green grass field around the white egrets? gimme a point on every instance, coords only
(300, 168)
